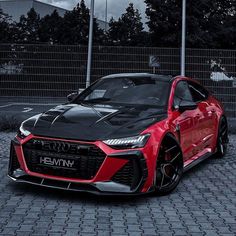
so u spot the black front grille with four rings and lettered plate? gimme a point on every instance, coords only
(56, 157)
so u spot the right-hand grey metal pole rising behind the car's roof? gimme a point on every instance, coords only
(183, 46)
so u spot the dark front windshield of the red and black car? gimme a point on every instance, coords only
(127, 90)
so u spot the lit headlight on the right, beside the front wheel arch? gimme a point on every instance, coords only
(130, 142)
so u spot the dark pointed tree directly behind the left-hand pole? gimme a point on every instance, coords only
(75, 26)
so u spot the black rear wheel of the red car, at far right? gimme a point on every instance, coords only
(222, 140)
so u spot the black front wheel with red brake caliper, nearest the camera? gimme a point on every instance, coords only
(169, 167)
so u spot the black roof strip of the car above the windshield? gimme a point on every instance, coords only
(167, 78)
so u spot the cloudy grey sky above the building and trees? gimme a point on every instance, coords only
(115, 7)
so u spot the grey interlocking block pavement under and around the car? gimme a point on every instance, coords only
(203, 204)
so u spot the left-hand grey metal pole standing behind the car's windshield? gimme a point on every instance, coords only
(90, 44)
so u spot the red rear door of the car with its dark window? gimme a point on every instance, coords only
(207, 116)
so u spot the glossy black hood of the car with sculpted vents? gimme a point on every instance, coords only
(93, 122)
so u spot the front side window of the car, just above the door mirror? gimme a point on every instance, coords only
(182, 92)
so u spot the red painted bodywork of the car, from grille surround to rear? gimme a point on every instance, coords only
(197, 135)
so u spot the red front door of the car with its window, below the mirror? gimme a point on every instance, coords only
(186, 122)
